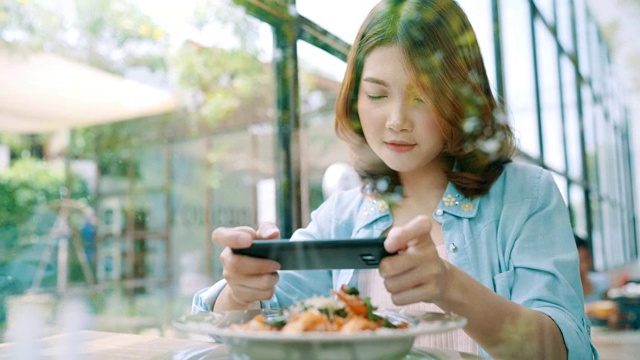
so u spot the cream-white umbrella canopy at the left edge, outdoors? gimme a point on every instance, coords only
(42, 92)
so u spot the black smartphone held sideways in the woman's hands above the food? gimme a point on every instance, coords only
(319, 254)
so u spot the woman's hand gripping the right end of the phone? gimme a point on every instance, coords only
(416, 273)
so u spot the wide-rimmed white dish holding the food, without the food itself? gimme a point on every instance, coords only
(370, 345)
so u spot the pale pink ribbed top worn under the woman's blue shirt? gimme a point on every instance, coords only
(372, 285)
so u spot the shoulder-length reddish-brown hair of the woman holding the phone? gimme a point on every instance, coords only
(442, 54)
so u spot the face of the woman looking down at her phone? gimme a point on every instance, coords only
(399, 126)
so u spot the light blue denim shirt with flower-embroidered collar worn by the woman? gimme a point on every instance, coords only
(516, 240)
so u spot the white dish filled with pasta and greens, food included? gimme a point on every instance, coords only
(341, 326)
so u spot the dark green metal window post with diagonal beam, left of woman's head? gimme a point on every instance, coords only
(289, 27)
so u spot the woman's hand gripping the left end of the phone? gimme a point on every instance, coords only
(249, 279)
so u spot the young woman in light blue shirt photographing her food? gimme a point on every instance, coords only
(477, 235)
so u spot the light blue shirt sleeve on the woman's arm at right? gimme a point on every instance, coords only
(543, 270)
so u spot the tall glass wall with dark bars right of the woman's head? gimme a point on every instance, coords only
(577, 132)
